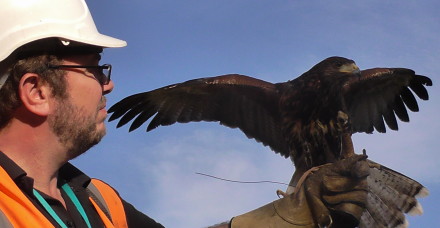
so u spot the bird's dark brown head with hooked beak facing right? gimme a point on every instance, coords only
(335, 64)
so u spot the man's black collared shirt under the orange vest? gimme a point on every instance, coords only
(78, 181)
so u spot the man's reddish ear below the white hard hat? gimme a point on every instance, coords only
(34, 94)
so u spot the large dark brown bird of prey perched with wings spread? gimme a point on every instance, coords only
(309, 119)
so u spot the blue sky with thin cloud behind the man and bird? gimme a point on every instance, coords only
(174, 41)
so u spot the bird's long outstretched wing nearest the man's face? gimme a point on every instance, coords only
(234, 100)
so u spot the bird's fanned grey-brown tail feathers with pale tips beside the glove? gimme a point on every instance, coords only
(391, 195)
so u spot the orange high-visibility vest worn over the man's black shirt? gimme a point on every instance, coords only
(16, 210)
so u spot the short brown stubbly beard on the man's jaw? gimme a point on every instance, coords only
(75, 130)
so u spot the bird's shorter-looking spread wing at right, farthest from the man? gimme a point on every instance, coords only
(381, 94)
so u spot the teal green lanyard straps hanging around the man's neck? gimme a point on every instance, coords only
(72, 197)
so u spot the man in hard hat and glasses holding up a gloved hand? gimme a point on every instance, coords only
(52, 109)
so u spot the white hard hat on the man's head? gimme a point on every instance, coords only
(25, 21)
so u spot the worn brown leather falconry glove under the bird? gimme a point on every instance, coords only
(334, 195)
